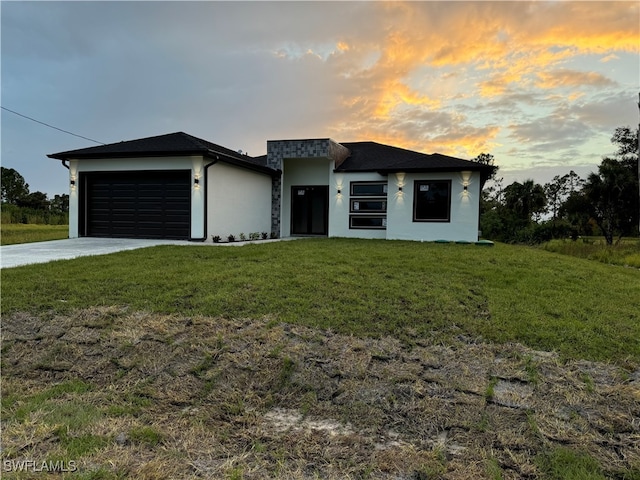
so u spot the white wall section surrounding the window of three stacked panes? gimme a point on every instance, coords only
(339, 205)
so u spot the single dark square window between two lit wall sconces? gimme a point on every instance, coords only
(432, 201)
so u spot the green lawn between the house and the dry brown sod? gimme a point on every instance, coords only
(547, 301)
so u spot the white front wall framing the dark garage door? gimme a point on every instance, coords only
(193, 163)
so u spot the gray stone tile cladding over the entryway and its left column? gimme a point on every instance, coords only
(277, 150)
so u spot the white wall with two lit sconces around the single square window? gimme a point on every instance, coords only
(463, 225)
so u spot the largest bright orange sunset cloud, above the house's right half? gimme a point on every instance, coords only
(492, 49)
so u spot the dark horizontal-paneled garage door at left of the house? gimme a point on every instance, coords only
(145, 204)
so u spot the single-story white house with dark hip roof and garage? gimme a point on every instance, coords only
(181, 187)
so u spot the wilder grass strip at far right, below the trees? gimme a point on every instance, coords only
(626, 252)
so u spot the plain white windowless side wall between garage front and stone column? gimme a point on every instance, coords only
(239, 201)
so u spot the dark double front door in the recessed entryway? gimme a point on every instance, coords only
(309, 210)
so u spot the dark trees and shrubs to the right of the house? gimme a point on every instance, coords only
(605, 203)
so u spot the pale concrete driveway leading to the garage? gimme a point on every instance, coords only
(42, 252)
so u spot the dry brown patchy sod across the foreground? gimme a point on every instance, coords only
(176, 397)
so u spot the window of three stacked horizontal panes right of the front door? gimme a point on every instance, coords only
(368, 205)
